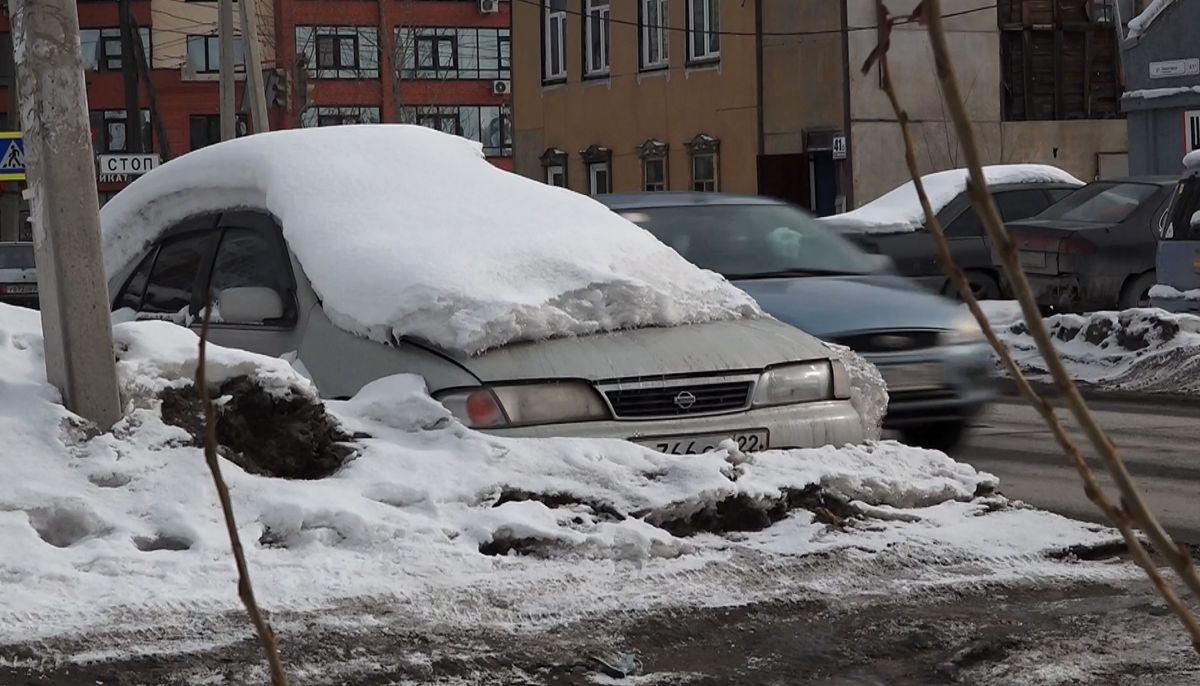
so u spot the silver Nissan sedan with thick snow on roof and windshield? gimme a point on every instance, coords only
(363, 252)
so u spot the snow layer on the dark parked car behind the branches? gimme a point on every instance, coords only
(899, 210)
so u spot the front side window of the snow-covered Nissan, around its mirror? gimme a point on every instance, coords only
(253, 258)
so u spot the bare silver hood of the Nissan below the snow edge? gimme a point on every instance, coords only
(713, 348)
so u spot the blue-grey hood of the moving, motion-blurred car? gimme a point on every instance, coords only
(832, 306)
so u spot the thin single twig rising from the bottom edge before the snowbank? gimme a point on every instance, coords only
(245, 591)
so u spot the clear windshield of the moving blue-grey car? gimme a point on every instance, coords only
(752, 242)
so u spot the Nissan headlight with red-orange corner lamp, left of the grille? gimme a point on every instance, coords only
(509, 406)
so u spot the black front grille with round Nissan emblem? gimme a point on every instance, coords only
(680, 400)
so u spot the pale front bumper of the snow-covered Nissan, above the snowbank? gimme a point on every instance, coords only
(806, 425)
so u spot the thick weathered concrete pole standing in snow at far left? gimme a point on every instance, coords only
(62, 177)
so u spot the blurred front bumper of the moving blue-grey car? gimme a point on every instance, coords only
(967, 386)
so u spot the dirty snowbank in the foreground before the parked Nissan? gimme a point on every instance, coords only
(123, 529)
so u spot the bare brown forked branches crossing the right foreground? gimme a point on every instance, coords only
(1121, 517)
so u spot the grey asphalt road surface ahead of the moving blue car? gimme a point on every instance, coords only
(1160, 440)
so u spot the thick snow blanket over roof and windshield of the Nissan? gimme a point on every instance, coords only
(405, 231)
